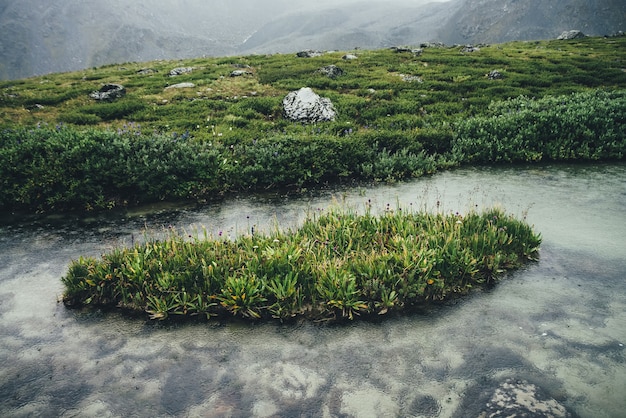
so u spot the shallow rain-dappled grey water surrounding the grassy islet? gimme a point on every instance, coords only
(559, 324)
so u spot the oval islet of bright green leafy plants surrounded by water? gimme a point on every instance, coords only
(336, 265)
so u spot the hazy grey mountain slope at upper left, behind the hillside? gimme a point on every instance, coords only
(43, 36)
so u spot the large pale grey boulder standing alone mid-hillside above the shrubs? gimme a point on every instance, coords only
(306, 106)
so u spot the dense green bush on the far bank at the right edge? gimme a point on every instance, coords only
(581, 126)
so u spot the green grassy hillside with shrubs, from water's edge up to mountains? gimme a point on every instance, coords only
(399, 115)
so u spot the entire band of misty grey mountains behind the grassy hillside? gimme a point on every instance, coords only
(41, 36)
